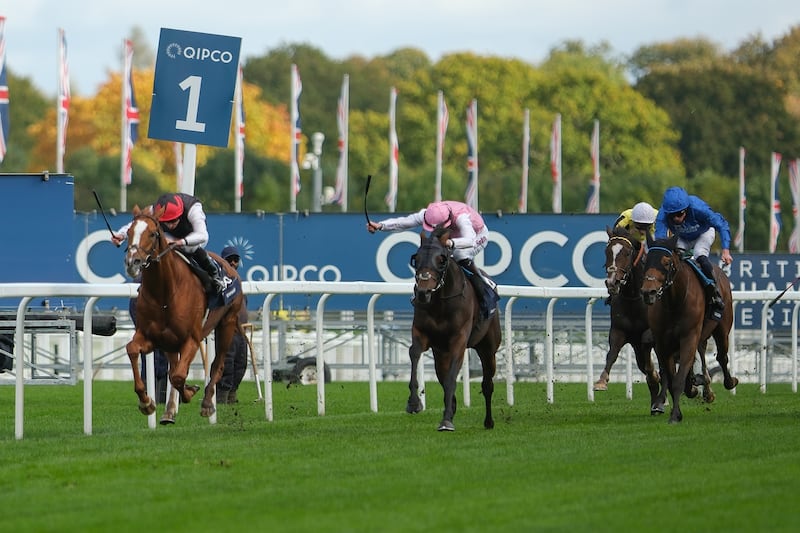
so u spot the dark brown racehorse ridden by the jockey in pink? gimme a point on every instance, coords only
(447, 319)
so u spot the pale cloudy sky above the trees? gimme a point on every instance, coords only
(525, 29)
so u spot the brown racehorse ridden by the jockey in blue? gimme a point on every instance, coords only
(677, 316)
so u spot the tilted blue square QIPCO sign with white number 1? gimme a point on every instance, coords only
(193, 88)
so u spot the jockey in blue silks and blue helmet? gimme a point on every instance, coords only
(696, 224)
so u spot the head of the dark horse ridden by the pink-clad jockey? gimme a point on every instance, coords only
(430, 264)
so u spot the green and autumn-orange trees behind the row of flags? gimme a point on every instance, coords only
(672, 113)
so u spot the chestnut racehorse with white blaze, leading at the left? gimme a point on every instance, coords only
(170, 309)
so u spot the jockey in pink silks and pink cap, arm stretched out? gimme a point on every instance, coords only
(468, 236)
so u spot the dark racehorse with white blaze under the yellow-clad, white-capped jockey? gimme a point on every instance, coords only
(625, 272)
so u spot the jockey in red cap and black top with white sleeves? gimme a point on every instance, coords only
(184, 223)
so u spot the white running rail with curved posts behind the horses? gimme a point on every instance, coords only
(93, 292)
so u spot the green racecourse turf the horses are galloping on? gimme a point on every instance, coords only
(572, 465)
